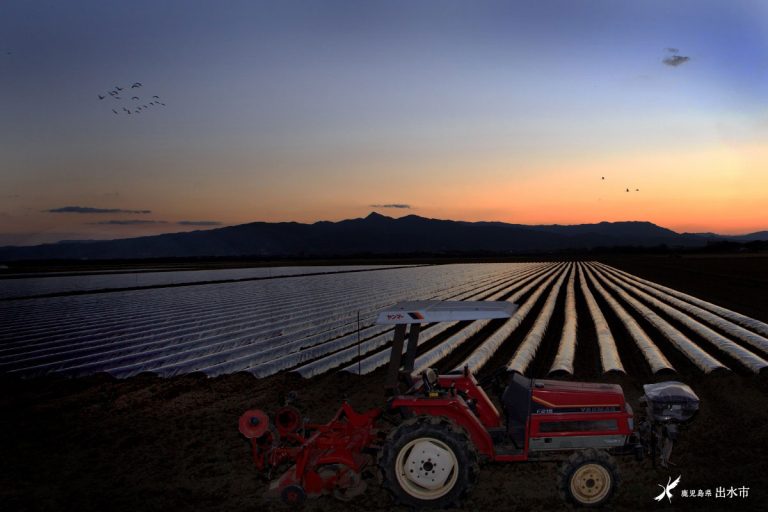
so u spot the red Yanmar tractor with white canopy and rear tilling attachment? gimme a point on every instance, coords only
(445, 426)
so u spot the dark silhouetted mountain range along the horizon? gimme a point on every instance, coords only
(374, 234)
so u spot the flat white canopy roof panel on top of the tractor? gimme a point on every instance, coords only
(429, 311)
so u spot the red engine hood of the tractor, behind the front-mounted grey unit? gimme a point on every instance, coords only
(554, 394)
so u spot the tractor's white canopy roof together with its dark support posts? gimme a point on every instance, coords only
(415, 313)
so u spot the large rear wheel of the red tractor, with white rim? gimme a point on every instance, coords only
(428, 462)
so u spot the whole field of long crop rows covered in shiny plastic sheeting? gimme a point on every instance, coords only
(309, 324)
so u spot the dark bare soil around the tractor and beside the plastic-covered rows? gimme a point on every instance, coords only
(159, 444)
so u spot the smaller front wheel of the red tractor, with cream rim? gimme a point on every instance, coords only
(589, 478)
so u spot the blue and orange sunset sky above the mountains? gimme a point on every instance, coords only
(542, 112)
